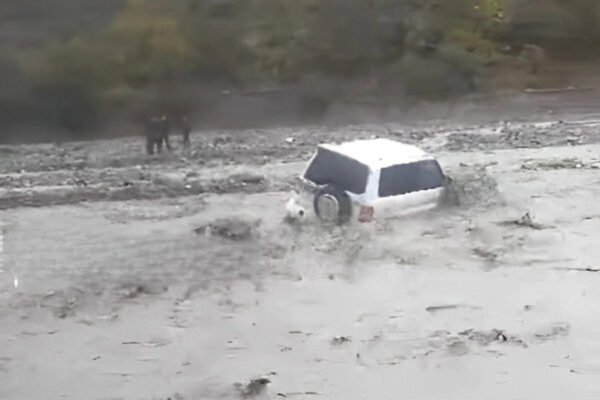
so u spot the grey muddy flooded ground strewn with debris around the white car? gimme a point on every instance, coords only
(124, 276)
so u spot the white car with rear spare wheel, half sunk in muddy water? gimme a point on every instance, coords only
(366, 179)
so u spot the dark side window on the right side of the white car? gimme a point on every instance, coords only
(413, 177)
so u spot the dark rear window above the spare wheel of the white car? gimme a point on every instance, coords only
(329, 167)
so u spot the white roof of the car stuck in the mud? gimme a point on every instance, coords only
(379, 153)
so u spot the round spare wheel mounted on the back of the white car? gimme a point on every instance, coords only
(332, 205)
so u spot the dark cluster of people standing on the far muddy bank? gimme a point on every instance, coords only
(157, 130)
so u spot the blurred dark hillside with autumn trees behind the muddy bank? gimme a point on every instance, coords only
(76, 69)
